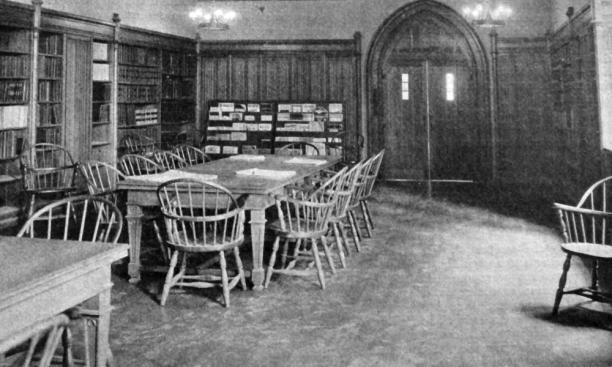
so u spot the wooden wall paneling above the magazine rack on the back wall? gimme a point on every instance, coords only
(296, 70)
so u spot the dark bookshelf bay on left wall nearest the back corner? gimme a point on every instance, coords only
(178, 94)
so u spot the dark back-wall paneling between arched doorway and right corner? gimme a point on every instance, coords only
(524, 136)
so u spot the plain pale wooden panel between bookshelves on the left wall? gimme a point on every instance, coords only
(78, 97)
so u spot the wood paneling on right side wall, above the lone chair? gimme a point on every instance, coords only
(574, 93)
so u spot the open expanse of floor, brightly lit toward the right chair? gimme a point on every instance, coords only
(440, 284)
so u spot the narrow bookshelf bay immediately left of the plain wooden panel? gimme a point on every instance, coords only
(49, 124)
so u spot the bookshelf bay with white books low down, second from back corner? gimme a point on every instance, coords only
(138, 96)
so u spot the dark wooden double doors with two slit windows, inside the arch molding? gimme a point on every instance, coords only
(432, 111)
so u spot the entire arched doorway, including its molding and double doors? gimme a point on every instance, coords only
(428, 96)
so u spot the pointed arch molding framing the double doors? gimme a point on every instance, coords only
(380, 42)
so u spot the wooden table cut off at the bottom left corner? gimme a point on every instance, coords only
(41, 278)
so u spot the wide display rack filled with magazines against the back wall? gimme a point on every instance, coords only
(235, 127)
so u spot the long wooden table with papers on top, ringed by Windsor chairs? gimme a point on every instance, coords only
(259, 196)
